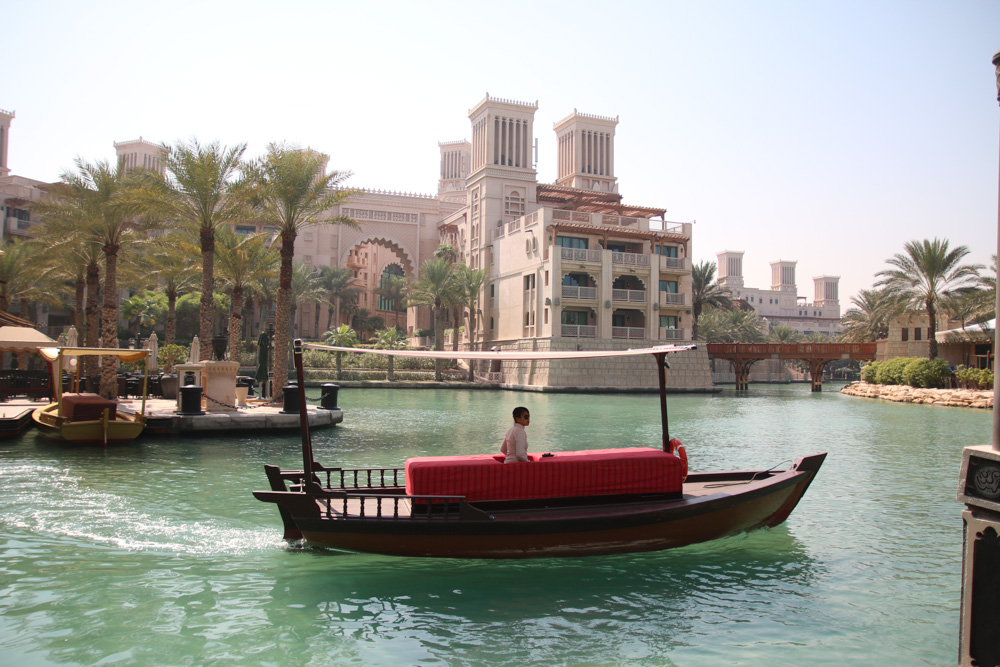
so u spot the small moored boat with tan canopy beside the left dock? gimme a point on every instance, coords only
(85, 418)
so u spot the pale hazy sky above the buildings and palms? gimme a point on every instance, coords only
(828, 133)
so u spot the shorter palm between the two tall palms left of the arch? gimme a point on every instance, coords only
(241, 261)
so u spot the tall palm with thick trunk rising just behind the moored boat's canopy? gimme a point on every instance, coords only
(91, 206)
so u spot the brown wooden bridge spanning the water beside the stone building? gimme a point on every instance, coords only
(743, 355)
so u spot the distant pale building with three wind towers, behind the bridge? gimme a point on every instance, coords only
(781, 304)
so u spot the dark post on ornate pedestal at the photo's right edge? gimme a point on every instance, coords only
(979, 489)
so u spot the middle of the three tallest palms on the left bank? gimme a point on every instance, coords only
(200, 192)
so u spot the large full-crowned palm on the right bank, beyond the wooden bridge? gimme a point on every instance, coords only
(925, 274)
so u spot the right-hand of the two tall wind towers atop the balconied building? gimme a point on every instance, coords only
(587, 152)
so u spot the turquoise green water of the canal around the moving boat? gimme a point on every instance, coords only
(155, 552)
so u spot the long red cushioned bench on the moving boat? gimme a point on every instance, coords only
(563, 475)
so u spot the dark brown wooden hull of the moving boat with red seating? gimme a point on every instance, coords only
(724, 504)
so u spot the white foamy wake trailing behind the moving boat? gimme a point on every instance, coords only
(46, 500)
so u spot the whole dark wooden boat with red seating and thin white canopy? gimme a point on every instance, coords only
(559, 504)
